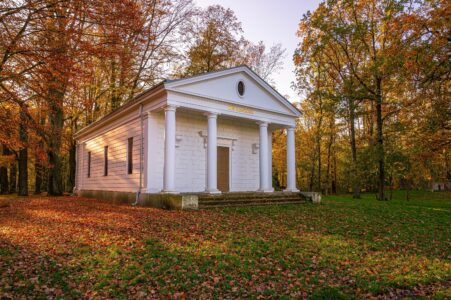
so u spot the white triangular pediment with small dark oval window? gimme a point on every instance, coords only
(223, 86)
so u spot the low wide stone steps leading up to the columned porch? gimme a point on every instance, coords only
(250, 199)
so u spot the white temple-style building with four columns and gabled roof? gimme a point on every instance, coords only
(207, 133)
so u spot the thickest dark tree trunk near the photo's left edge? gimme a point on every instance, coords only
(23, 154)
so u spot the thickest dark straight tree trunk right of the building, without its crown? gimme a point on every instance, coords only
(380, 145)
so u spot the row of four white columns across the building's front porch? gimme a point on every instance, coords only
(263, 147)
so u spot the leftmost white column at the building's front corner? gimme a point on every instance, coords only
(169, 150)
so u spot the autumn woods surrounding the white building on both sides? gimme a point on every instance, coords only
(372, 76)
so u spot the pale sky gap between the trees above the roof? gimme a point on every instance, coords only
(271, 21)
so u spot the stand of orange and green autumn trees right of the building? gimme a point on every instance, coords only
(383, 64)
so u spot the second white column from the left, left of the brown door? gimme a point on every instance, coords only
(212, 154)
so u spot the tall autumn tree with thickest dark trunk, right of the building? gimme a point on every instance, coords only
(366, 38)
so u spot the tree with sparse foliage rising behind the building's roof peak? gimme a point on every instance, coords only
(214, 43)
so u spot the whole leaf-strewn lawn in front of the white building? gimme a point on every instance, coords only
(342, 248)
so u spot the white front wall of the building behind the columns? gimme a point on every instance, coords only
(190, 175)
